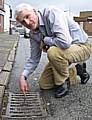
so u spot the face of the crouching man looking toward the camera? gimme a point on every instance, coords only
(28, 18)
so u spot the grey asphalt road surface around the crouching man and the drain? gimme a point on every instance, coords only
(77, 105)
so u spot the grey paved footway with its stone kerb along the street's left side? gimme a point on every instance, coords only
(8, 46)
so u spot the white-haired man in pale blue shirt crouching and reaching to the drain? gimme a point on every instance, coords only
(52, 31)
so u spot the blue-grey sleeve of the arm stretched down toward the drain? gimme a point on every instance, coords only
(34, 59)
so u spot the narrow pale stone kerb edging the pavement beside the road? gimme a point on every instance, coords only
(6, 70)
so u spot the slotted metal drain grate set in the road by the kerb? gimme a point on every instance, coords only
(25, 106)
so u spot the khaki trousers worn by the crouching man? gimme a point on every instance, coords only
(57, 71)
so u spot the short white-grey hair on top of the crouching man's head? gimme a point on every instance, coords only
(21, 7)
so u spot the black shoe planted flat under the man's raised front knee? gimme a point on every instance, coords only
(62, 90)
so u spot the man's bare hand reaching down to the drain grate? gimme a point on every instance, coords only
(23, 84)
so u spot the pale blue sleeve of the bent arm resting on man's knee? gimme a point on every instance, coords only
(59, 27)
